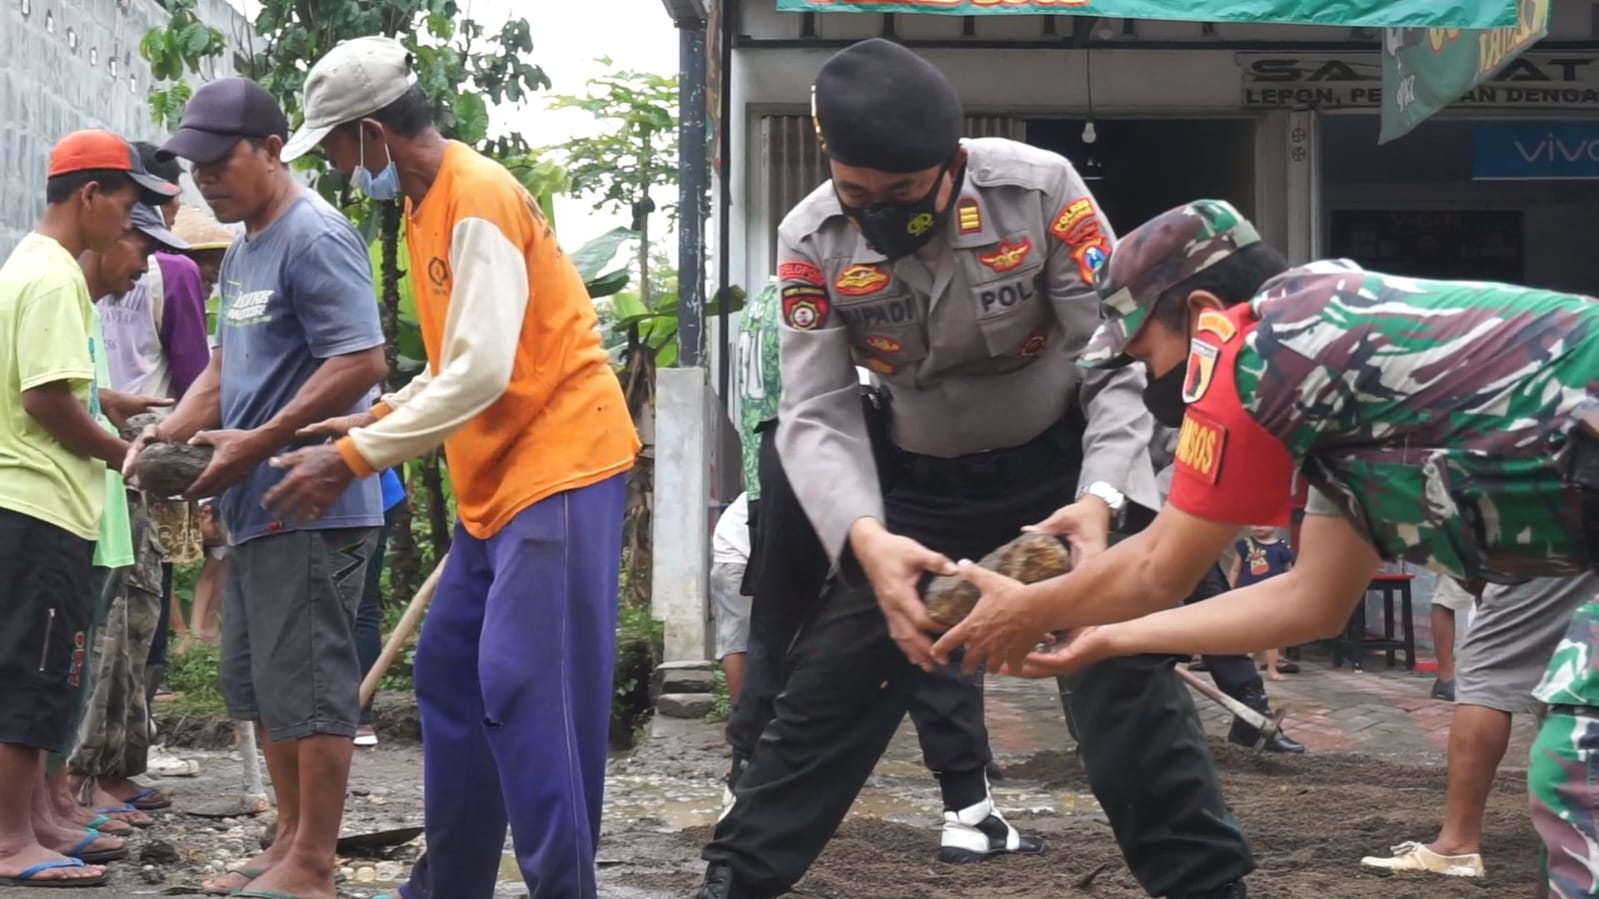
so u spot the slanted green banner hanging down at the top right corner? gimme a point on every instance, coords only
(1427, 70)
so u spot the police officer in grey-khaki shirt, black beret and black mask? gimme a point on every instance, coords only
(960, 273)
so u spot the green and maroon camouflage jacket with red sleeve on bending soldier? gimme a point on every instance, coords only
(1434, 415)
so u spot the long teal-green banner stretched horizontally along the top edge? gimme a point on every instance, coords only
(1347, 14)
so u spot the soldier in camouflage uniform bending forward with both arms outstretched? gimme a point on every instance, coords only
(1438, 423)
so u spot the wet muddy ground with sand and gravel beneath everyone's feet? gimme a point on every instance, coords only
(1310, 821)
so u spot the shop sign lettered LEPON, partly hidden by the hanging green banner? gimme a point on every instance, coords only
(1561, 82)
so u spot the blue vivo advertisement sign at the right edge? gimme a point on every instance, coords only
(1536, 151)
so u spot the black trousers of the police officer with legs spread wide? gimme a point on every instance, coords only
(848, 689)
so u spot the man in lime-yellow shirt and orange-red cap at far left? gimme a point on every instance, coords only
(54, 458)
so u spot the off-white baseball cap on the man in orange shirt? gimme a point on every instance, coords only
(354, 81)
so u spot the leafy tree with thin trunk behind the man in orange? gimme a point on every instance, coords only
(460, 66)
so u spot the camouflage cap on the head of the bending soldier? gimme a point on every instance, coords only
(1155, 258)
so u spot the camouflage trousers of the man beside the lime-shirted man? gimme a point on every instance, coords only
(114, 733)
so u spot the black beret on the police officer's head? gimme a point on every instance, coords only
(880, 106)
